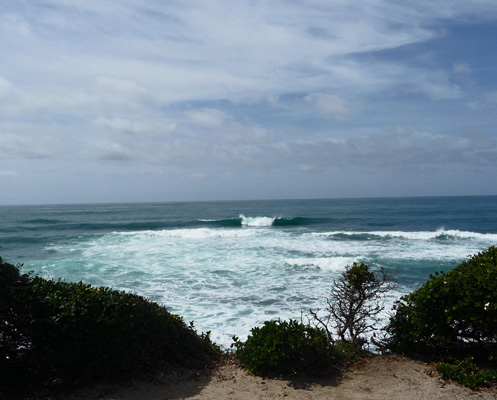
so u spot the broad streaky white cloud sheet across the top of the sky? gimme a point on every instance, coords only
(221, 50)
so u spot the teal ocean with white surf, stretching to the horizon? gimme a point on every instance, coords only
(229, 266)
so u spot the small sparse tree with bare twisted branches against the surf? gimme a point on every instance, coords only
(354, 305)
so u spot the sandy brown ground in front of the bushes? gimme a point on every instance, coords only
(382, 378)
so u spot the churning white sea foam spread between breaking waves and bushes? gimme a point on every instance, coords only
(229, 280)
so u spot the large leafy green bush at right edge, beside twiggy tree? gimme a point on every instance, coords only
(452, 314)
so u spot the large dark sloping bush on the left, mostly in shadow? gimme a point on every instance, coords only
(53, 331)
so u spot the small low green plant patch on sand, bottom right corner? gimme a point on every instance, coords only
(467, 373)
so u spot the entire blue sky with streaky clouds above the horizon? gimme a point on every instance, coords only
(151, 100)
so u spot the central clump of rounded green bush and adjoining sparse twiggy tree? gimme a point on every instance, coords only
(325, 342)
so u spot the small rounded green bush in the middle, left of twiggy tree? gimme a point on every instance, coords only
(286, 348)
